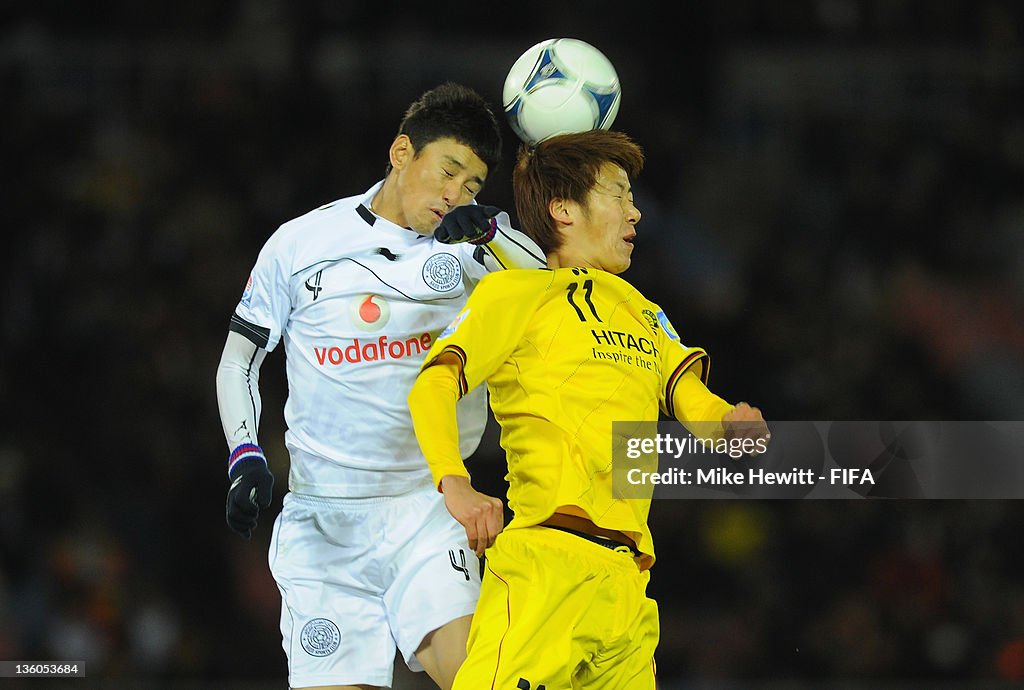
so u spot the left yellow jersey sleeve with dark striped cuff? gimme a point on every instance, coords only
(491, 326)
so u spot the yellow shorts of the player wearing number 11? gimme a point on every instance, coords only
(559, 613)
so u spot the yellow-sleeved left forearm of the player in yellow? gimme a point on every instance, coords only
(433, 406)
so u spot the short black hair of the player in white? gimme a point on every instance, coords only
(457, 112)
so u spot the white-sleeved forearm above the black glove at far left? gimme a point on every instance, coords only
(238, 391)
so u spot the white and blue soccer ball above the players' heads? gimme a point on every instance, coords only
(560, 87)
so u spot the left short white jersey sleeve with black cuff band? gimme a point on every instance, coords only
(267, 301)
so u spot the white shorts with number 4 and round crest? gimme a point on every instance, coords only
(360, 578)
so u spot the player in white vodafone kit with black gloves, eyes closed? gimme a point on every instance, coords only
(365, 554)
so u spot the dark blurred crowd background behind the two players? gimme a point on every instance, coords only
(834, 206)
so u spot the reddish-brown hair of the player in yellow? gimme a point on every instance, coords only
(566, 167)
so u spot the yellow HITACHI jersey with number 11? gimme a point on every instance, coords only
(565, 354)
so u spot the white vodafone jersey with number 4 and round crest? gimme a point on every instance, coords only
(358, 301)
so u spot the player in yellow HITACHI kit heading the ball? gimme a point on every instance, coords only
(565, 353)
